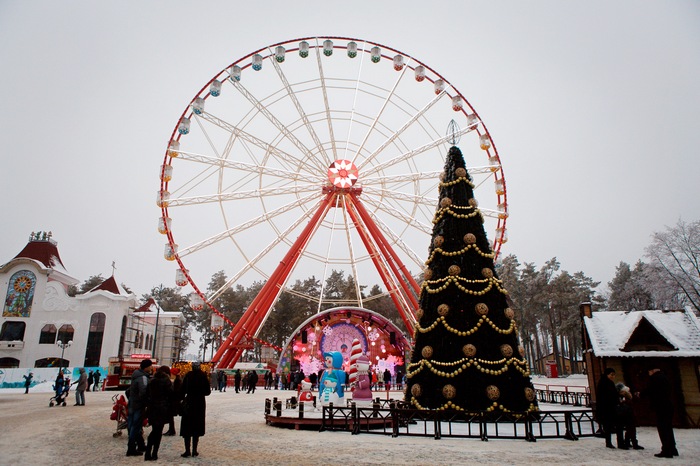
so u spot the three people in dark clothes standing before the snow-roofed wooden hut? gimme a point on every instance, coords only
(615, 411)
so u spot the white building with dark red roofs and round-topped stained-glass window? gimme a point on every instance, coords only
(102, 323)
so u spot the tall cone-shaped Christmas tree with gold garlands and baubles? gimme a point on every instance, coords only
(466, 355)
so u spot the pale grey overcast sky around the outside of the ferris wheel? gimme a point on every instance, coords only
(593, 107)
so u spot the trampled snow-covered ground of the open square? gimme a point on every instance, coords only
(33, 433)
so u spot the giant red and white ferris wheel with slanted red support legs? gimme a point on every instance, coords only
(316, 155)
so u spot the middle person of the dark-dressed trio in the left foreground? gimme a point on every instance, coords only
(158, 409)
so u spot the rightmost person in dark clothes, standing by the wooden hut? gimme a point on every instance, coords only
(659, 393)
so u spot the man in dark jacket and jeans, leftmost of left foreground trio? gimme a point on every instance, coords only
(138, 396)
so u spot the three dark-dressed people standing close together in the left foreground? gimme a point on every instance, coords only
(154, 396)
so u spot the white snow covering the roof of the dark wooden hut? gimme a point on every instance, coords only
(610, 331)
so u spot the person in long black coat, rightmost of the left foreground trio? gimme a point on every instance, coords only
(195, 386)
